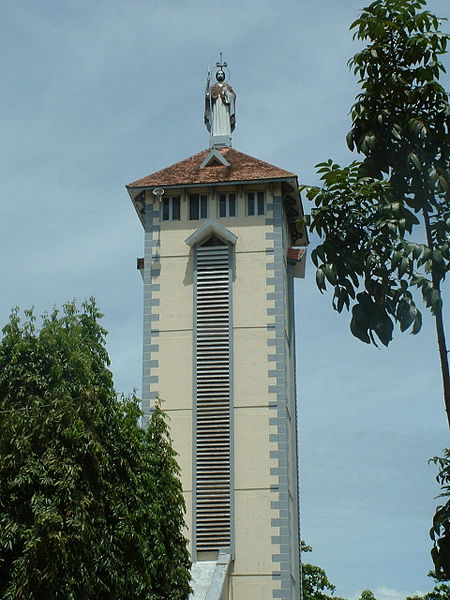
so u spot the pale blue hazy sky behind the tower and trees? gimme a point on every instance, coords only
(98, 94)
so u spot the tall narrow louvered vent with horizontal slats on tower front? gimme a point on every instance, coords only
(212, 378)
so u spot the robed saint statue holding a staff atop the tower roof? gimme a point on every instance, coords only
(220, 116)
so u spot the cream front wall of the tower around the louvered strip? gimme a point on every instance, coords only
(254, 549)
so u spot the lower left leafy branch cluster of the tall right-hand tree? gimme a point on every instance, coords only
(362, 243)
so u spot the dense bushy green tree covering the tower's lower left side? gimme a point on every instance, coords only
(83, 514)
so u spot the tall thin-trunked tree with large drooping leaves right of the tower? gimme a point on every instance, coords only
(384, 221)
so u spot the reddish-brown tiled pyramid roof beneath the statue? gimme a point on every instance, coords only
(242, 167)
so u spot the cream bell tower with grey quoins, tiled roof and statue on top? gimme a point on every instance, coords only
(221, 254)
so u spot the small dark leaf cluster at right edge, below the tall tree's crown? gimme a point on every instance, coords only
(440, 532)
